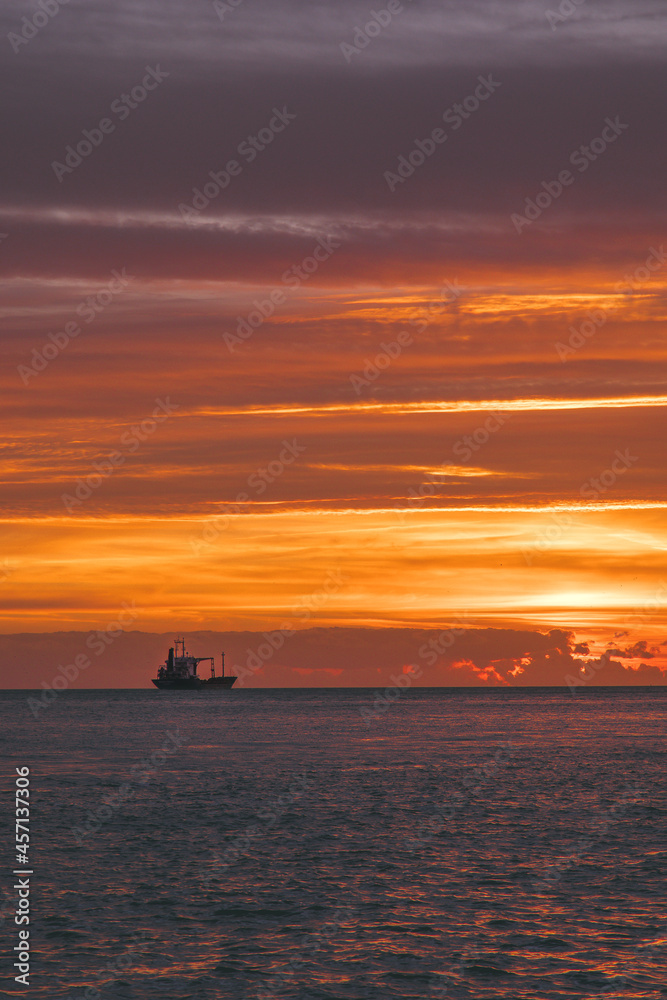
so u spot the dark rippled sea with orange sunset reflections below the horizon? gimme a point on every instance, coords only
(324, 845)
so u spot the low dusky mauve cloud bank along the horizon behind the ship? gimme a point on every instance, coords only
(333, 657)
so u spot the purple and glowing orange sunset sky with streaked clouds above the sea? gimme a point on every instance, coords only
(337, 317)
